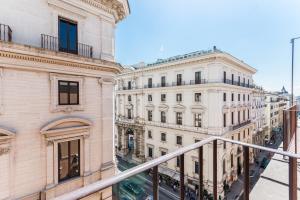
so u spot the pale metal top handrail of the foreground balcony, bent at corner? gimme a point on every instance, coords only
(105, 183)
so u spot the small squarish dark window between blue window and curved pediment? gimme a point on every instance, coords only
(68, 93)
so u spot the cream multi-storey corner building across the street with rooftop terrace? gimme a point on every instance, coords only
(178, 101)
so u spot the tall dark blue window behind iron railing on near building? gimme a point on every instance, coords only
(67, 36)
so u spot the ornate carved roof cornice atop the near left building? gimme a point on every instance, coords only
(114, 7)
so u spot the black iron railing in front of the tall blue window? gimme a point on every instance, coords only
(52, 43)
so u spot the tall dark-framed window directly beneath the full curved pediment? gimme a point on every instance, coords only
(68, 159)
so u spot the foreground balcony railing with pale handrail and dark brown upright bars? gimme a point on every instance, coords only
(153, 164)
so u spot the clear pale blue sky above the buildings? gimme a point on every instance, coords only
(255, 31)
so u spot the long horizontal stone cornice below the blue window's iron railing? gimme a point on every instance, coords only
(37, 55)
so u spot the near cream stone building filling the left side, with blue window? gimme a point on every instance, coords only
(56, 95)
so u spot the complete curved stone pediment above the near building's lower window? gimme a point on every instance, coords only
(66, 127)
